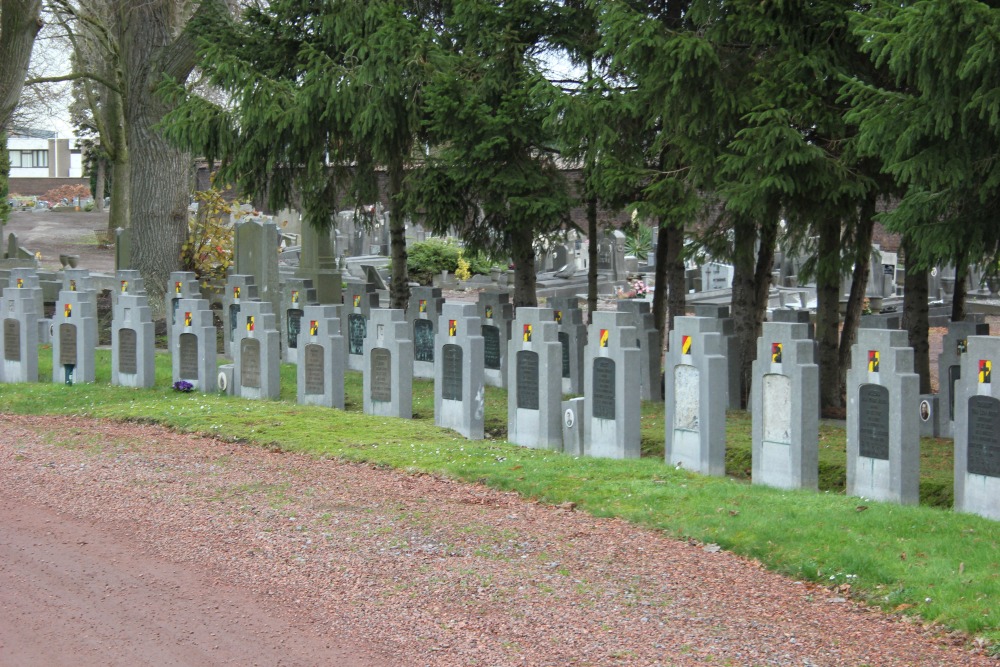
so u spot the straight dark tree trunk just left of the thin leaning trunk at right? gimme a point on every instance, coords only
(828, 313)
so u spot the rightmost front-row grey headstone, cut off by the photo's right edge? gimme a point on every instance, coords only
(977, 430)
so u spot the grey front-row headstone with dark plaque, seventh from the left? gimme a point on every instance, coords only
(388, 372)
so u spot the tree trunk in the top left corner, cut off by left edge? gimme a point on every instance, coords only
(19, 23)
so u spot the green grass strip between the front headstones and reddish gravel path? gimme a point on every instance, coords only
(926, 560)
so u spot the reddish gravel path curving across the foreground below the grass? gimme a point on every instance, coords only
(324, 562)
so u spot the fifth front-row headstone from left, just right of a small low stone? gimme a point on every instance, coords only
(257, 353)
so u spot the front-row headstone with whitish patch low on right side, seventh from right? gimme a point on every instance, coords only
(459, 387)
